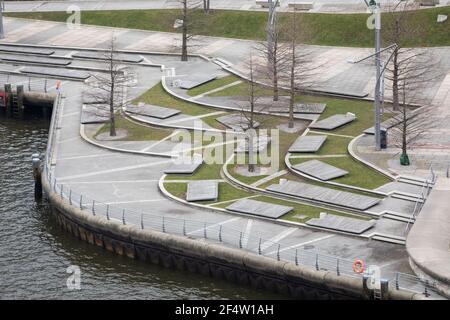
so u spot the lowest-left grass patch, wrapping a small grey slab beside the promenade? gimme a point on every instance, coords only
(226, 192)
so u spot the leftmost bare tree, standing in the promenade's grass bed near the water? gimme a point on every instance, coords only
(108, 89)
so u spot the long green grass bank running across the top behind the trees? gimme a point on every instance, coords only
(329, 29)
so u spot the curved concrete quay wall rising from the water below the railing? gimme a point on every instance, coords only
(214, 260)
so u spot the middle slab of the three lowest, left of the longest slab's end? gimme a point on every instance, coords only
(259, 208)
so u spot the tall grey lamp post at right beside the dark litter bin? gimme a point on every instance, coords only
(377, 116)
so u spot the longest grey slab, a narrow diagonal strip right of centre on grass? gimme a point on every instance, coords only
(326, 195)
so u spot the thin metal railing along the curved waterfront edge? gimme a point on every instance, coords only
(214, 232)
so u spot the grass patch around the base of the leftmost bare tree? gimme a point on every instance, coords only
(135, 131)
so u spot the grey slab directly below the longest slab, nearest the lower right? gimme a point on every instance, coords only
(338, 223)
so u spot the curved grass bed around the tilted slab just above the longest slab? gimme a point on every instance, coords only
(358, 175)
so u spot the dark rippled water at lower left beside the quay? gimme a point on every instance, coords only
(34, 253)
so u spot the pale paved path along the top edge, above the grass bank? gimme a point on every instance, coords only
(341, 6)
